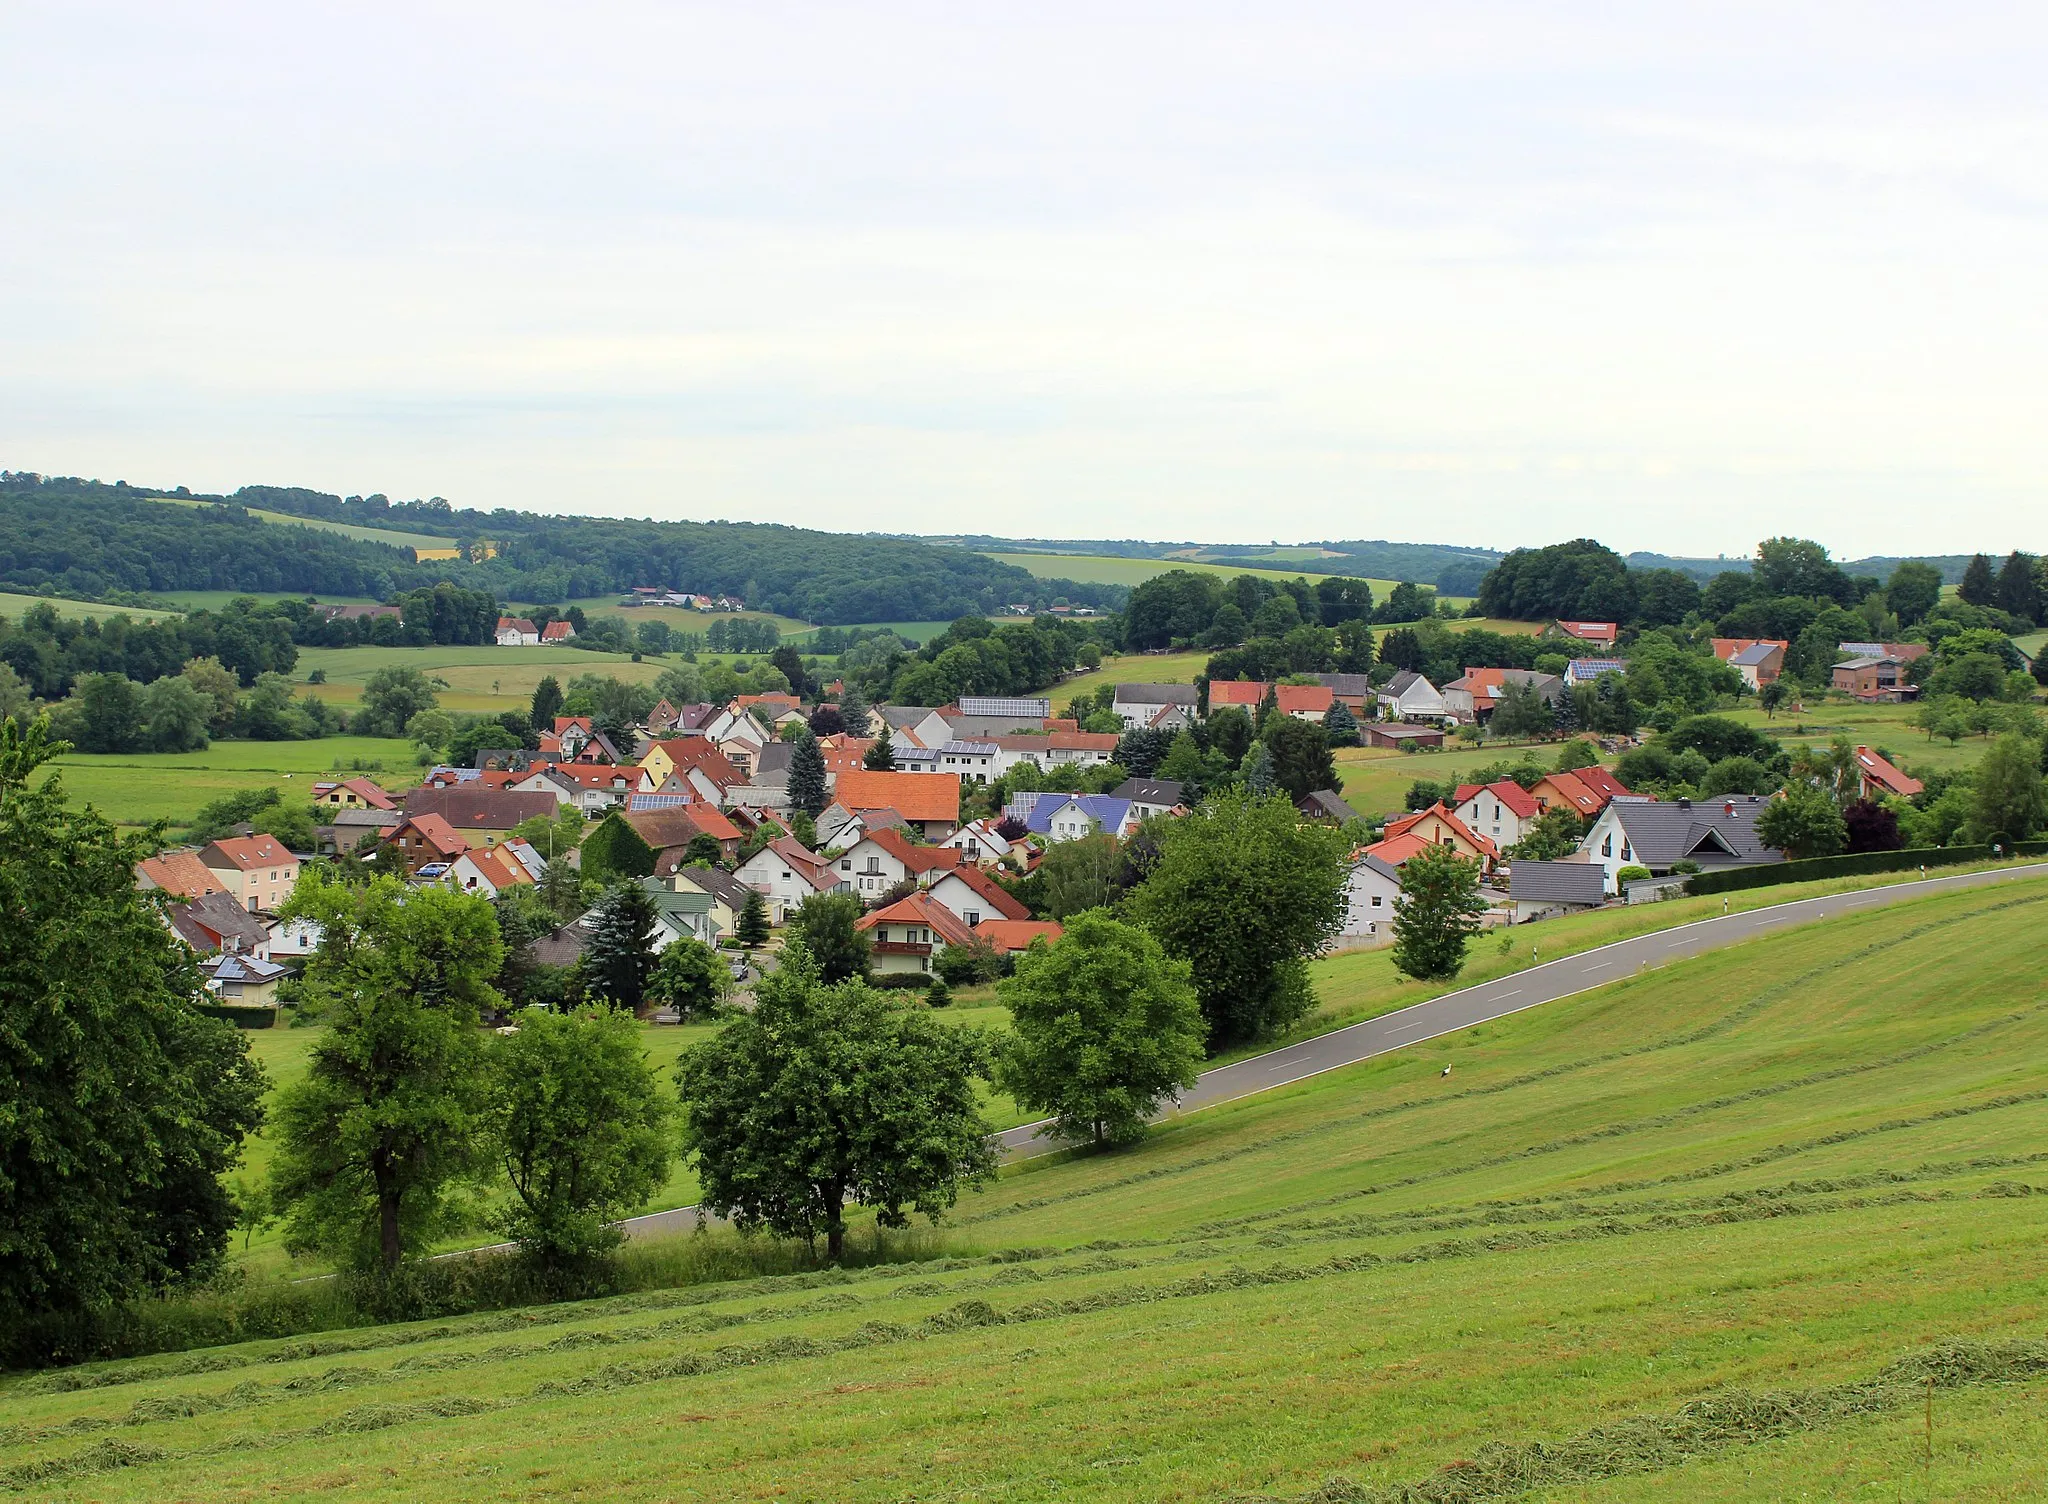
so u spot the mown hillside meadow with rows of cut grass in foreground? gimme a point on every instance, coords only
(1785, 1169)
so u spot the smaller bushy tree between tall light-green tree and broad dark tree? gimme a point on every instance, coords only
(581, 1130)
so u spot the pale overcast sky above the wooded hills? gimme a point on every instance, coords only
(1676, 278)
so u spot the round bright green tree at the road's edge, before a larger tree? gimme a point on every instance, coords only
(1107, 1030)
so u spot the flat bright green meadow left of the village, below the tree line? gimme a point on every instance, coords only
(138, 788)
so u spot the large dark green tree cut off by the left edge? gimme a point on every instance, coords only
(124, 1105)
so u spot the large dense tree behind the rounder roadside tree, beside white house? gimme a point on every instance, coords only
(1246, 892)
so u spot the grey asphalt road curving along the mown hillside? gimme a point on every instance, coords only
(1484, 1003)
